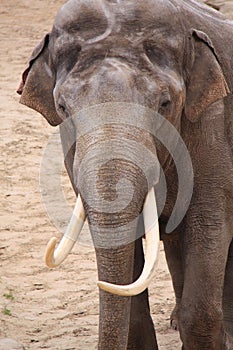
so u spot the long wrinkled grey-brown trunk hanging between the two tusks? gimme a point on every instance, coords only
(113, 191)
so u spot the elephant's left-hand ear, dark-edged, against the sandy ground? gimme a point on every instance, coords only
(38, 81)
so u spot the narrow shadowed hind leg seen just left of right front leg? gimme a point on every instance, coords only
(173, 253)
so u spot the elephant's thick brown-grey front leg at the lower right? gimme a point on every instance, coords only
(201, 313)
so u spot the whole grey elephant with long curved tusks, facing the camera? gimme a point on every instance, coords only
(112, 73)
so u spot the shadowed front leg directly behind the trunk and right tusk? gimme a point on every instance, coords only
(141, 332)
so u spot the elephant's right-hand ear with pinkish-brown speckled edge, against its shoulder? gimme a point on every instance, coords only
(205, 83)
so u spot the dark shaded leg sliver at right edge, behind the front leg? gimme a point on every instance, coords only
(228, 294)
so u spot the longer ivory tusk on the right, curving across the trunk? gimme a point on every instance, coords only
(152, 246)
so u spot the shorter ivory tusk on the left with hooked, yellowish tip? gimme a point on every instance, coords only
(54, 257)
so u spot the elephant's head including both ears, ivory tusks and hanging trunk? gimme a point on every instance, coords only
(112, 74)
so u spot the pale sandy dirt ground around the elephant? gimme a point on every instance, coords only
(43, 308)
